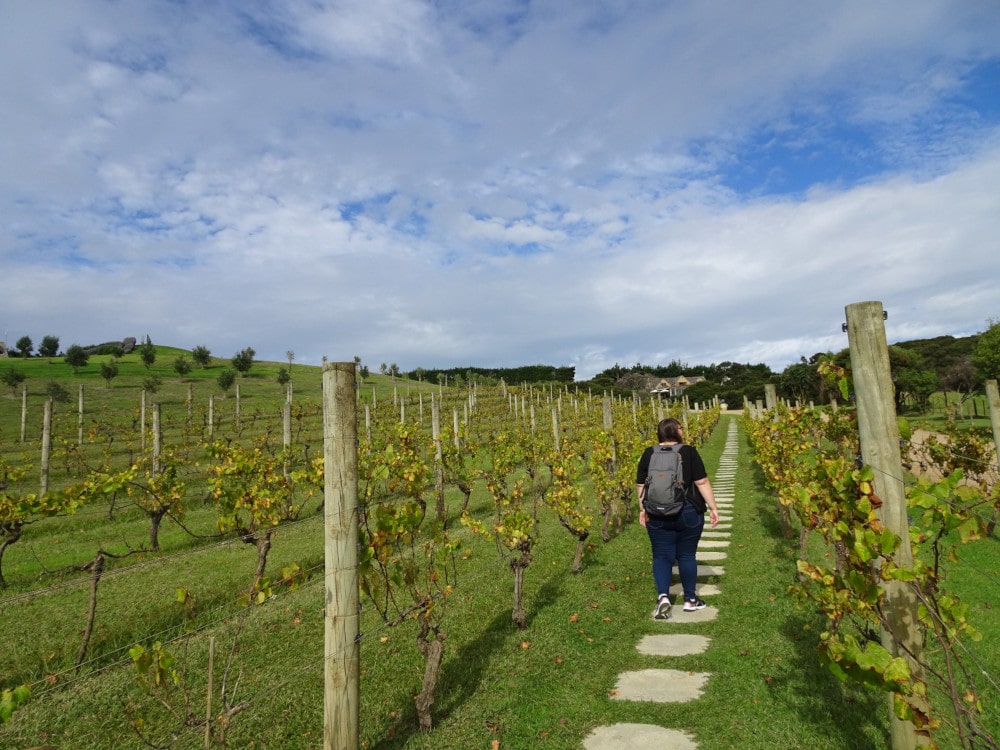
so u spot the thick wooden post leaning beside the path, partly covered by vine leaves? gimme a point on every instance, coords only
(879, 435)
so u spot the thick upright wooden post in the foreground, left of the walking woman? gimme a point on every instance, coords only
(340, 502)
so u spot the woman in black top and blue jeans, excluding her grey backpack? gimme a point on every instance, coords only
(677, 537)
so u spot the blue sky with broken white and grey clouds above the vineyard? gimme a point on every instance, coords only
(438, 184)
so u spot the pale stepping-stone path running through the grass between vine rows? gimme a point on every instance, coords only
(669, 685)
